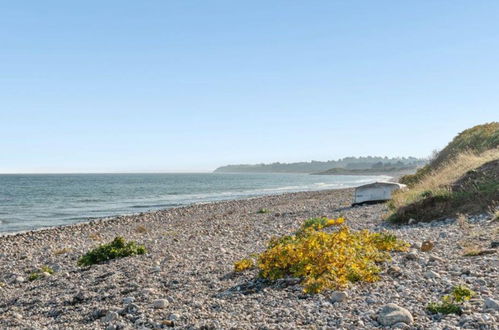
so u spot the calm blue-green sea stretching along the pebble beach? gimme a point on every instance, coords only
(34, 201)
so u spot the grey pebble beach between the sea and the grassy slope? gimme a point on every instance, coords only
(186, 279)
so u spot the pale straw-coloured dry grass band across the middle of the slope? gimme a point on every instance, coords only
(438, 182)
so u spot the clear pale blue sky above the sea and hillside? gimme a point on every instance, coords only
(185, 85)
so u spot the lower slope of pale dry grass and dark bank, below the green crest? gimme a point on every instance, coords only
(467, 183)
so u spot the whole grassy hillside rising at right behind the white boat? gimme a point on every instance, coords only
(462, 178)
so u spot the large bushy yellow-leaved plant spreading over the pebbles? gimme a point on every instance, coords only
(326, 260)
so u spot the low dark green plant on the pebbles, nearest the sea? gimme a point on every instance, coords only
(118, 248)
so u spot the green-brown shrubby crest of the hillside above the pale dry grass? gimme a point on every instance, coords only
(477, 139)
